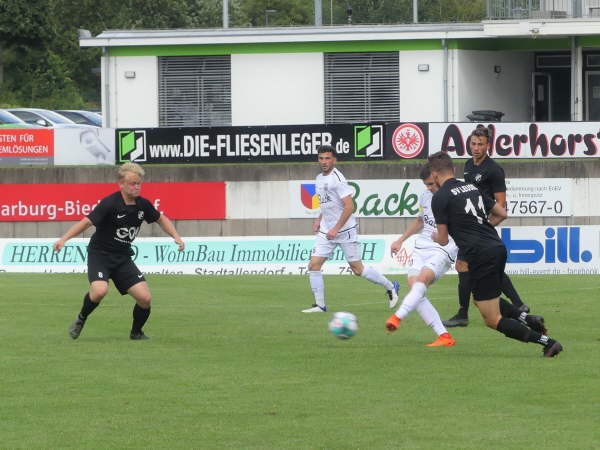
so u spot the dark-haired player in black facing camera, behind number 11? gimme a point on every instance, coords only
(488, 176)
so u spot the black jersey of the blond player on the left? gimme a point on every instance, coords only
(117, 224)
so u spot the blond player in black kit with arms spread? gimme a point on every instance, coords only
(117, 219)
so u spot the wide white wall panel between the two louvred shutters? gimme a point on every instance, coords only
(277, 89)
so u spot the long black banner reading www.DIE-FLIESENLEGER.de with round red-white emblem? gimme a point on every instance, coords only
(285, 143)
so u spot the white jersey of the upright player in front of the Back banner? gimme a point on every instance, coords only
(331, 189)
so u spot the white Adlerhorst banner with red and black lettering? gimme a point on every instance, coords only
(521, 140)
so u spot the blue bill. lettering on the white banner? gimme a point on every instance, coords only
(562, 244)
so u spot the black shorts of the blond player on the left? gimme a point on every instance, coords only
(120, 268)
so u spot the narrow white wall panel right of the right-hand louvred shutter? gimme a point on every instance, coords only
(421, 93)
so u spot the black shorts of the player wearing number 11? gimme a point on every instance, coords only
(486, 269)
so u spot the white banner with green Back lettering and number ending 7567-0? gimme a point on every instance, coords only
(525, 197)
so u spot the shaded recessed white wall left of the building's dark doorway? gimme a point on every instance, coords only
(477, 87)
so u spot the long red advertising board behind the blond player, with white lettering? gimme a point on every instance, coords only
(59, 202)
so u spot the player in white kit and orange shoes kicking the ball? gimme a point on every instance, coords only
(430, 261)
